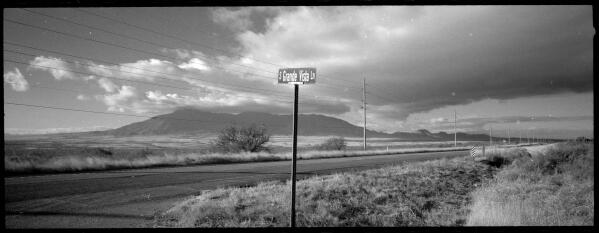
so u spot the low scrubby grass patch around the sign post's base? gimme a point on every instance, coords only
(433, 193)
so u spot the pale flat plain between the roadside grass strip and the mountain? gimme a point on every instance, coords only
(199, 142)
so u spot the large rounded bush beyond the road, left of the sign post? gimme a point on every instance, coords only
(236, 139)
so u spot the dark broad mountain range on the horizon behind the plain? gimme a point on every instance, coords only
(189, 121)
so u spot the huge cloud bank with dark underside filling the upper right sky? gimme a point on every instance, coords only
(419, 55)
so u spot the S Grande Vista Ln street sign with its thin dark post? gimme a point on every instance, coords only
(295, 76)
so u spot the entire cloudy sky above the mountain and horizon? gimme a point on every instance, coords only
(518, 69)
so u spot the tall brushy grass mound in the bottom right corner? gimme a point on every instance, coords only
(555, 188)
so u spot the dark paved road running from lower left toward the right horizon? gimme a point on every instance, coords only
(130, 198)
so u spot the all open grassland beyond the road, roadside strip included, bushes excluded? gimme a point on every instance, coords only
(70, 153)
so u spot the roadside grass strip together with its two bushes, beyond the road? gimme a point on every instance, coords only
(233, 145)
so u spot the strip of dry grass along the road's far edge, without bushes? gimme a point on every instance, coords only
(85, 159)
